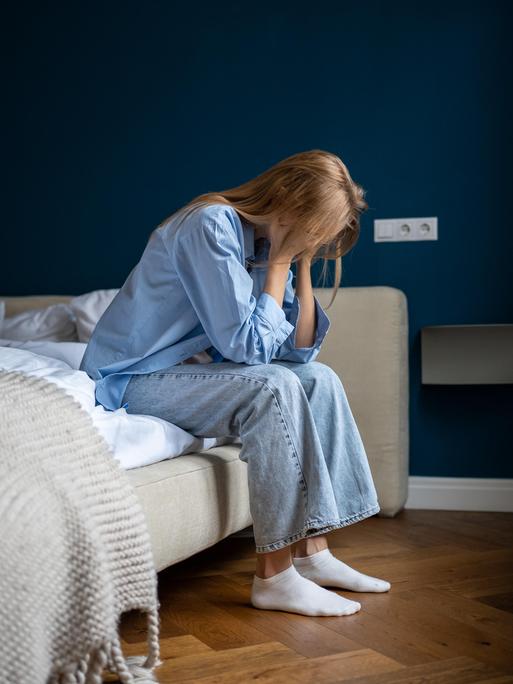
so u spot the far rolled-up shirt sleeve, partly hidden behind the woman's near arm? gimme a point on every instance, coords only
(292, 307)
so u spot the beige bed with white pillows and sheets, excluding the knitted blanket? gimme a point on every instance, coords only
(193, 491)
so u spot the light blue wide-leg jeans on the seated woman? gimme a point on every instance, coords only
(308, 472)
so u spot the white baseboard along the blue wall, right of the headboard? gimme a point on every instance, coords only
(460, 494)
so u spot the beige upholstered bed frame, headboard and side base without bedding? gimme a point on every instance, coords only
(193, 501)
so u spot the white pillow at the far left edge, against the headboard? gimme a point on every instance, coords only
(55, 322)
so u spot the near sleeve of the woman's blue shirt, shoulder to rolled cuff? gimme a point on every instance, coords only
(208, 259)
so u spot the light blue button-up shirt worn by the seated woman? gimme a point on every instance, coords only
(193, 290)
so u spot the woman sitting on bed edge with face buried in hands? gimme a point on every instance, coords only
(208, 333)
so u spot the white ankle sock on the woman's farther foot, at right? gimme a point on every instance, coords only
(324, 569)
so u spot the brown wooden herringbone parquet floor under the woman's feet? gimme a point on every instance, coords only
(448, 618)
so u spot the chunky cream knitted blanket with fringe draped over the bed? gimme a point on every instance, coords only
(74, 548)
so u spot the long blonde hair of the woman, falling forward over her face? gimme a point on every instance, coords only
(316, 189)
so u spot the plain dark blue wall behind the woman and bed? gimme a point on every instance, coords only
(117, 113)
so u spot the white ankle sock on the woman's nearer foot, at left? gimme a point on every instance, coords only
(289, 591)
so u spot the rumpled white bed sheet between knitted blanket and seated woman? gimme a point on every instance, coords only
(135, 440)
